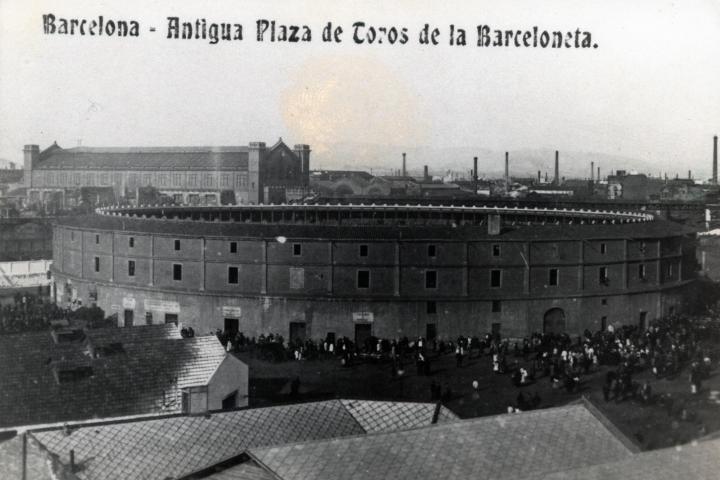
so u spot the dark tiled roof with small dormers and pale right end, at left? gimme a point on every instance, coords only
(145, 376)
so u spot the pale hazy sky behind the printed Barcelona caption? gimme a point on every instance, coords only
(649, 91)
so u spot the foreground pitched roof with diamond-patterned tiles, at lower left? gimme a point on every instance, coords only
(177, 445)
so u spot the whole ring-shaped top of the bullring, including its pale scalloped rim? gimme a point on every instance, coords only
(378, 222)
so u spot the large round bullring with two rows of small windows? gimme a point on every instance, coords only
(330, 271)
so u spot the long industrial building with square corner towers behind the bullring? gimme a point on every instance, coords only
(189, 175)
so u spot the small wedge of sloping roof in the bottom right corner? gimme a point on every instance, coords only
(695, 461)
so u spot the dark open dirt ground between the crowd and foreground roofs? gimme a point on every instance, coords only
(657, 425)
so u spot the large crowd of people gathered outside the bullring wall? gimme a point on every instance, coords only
(665, 348)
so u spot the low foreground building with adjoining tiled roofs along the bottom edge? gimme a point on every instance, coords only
(351, 439)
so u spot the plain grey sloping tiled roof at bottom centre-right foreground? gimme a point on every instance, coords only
(499, 447)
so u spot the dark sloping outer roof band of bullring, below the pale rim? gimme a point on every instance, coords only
(653, 229)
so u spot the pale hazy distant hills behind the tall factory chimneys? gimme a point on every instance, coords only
(523, 163)
